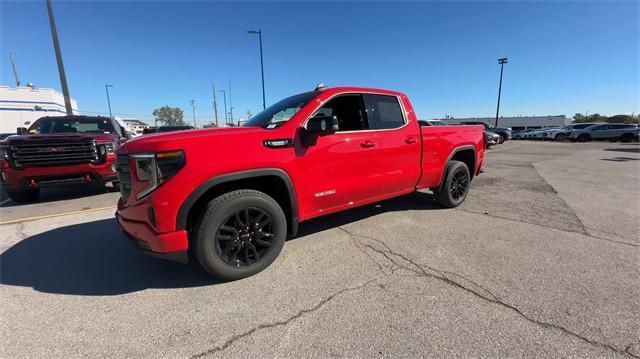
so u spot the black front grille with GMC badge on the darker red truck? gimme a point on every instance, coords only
(52, 153)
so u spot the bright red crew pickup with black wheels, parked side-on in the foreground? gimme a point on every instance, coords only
(233, 195)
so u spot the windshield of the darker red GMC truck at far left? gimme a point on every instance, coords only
(71, 125)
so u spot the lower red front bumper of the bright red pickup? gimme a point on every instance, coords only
(171, 245)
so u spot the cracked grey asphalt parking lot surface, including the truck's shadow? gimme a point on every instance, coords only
(541, 260)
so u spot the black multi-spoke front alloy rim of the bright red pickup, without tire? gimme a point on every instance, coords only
(244, 237)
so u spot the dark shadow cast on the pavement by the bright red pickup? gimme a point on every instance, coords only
(95, 258)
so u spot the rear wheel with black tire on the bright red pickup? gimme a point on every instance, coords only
(455, 185)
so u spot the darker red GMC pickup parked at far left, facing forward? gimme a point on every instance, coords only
(57, 151)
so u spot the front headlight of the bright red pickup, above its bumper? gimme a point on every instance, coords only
(156, 168)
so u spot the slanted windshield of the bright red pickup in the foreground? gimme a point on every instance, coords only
(281, 112)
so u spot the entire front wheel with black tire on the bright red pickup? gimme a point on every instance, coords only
(239, 234)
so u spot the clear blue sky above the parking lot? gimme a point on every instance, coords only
(564, 57)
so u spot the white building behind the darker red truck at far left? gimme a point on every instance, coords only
(20, 107)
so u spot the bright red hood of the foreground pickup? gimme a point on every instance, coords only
(168, 141)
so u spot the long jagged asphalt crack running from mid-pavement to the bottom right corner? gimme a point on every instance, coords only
(428, 271)
